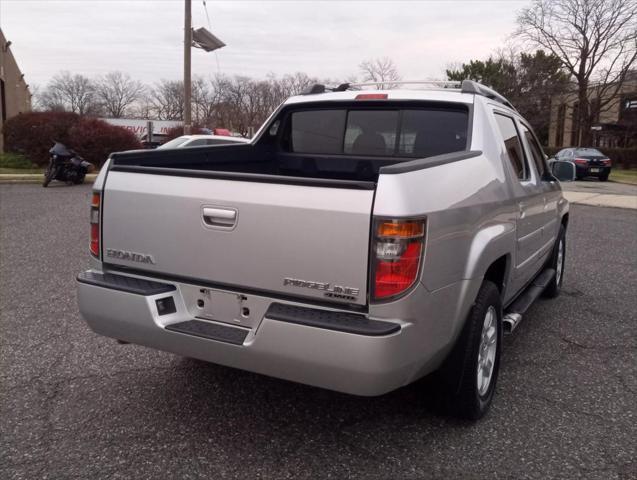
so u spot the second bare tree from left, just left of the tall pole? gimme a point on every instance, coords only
(117, 92)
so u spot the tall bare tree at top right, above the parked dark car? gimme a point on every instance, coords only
(596, 41)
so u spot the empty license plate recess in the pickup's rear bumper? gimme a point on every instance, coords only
(222, 306)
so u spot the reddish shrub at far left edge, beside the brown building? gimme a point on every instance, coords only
(32, 134)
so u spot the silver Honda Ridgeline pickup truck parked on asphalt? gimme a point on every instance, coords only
(362, 240)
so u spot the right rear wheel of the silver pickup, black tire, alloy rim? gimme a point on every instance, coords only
(473, 365)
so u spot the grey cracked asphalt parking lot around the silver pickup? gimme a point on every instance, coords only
(75, 405)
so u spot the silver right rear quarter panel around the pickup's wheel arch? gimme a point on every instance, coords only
(471, 222)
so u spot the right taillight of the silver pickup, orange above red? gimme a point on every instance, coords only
(397, 248)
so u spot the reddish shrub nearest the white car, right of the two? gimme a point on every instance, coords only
(95, 140)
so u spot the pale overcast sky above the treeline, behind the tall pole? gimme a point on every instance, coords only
(324, 39)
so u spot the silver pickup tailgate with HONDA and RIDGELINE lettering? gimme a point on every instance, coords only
(296, 240)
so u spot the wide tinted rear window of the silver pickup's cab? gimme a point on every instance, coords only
(412, 132)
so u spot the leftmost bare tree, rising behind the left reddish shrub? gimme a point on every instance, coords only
(74, 93)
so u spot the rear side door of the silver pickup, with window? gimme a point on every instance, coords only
(528, 198)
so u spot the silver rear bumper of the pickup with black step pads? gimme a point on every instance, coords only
(317, 346)
